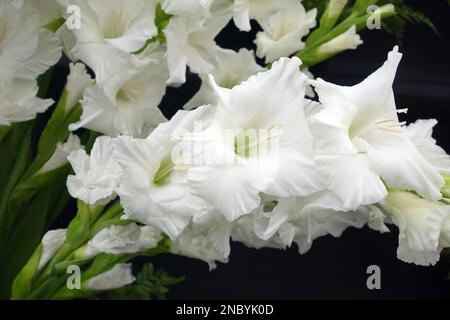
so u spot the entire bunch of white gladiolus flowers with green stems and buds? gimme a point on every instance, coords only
(263, 154)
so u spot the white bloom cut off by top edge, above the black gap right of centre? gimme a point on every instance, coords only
(260, 10)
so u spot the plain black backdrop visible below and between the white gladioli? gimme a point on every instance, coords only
(336, 268)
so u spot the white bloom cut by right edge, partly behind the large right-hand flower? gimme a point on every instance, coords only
(420, 132)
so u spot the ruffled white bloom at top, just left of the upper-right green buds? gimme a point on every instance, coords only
(283, 32)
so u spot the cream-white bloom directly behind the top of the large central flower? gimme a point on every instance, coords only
(230, 69)
